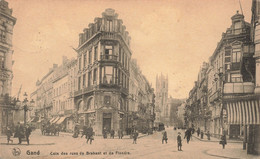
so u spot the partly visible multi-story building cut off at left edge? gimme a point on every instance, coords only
(7, 22)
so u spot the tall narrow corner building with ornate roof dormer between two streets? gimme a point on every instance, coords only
(103, 77)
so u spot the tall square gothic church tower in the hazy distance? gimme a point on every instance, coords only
(161, 97)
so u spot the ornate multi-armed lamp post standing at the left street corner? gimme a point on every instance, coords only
(25, 105)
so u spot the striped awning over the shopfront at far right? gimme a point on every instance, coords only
(243, 111)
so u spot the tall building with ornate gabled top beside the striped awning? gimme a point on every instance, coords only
(233, 70)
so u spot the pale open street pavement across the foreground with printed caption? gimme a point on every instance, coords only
(146, 147)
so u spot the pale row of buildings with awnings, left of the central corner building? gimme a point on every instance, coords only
(54, 95)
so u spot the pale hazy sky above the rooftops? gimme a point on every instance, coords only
(171, 37)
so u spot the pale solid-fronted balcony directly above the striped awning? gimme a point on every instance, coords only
(245, 87)
